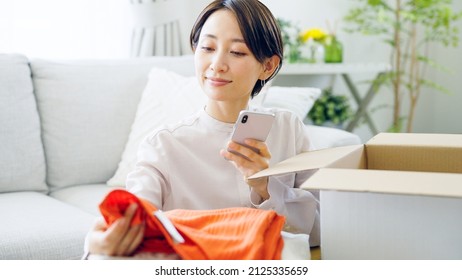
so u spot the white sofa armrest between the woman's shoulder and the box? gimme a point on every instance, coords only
(326, 137)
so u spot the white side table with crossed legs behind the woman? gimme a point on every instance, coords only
(345, 70)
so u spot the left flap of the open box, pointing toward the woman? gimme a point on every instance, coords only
(315, 160)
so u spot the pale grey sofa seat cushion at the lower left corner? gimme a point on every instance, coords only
(36, 226)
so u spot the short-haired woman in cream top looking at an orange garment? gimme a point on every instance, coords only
(237, 48)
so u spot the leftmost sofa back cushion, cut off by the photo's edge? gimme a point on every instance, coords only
(22, 161)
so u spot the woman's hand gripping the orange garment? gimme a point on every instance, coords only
(119, 239)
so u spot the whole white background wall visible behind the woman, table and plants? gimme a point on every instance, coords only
(102, 28)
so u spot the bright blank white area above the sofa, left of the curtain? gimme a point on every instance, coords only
(65, 28)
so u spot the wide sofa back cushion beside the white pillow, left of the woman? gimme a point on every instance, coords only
(87, 109)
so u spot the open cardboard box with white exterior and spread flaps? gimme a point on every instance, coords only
(399, 196)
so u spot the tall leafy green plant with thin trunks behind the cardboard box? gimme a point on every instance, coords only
(409, 27)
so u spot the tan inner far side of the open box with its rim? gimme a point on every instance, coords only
(415, 152)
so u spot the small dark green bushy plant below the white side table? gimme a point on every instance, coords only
(330, 110)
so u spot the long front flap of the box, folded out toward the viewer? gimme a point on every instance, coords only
(393, 182)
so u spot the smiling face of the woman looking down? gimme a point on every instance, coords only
(226, 69)
